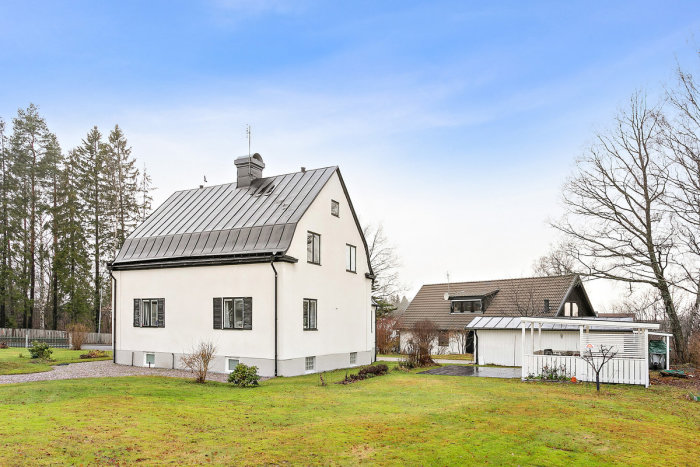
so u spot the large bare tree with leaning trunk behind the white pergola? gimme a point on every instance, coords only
(616, 215)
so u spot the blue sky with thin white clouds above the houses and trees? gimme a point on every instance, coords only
(454, 124)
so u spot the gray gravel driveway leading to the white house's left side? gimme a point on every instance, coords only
(101, 369)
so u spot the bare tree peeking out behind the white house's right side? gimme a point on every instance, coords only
(385, 263)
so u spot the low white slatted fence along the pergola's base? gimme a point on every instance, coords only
(618, 370)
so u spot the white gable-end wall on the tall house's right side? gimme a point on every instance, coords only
(344, 298)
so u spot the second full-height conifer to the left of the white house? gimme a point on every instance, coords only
(96, 193)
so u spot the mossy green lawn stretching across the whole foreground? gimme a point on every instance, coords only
(398, 419)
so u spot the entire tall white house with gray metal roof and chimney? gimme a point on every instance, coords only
(273, 271)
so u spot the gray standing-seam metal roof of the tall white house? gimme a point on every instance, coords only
(225, 220)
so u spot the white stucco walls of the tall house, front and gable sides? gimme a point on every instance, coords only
(344, 303)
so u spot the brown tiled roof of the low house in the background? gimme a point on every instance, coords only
(510, 298)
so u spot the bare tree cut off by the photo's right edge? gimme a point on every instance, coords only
(682, 137)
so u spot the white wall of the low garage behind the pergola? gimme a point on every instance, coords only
(503, 347)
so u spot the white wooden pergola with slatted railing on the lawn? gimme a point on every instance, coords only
(629, 338)
